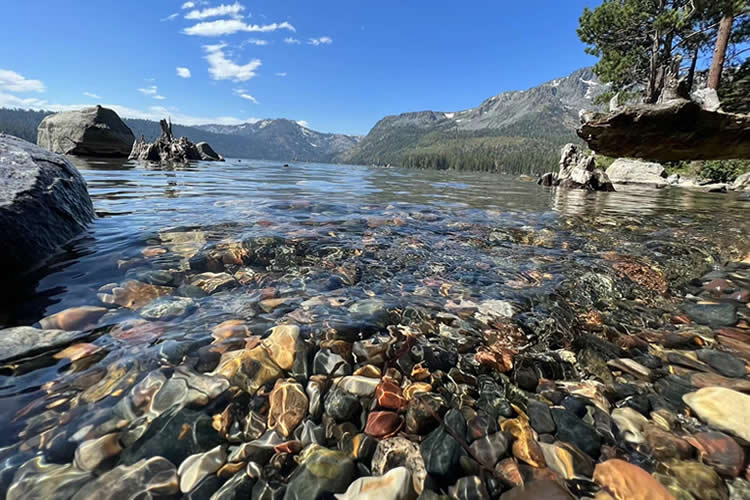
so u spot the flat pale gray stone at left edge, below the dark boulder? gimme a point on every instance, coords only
(24, 341)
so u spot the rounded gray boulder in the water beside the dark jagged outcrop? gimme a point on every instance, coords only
(95, 131)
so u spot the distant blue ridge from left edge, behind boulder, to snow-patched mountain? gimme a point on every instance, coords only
(280, 140)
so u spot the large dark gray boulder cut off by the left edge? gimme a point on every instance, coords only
(43, 204)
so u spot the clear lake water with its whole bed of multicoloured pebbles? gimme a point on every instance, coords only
(241, 330)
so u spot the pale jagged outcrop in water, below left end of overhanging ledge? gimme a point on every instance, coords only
(577, 171)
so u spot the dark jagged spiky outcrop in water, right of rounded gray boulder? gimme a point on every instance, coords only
(167, 148)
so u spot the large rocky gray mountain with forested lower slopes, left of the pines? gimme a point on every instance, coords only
(515, 132)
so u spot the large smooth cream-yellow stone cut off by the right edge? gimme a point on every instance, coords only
(723, 409)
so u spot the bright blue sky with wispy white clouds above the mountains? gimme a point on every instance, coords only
(339, 66)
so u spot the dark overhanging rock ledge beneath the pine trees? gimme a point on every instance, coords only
(674, 130)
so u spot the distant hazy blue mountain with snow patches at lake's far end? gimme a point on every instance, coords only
(289, 139)
